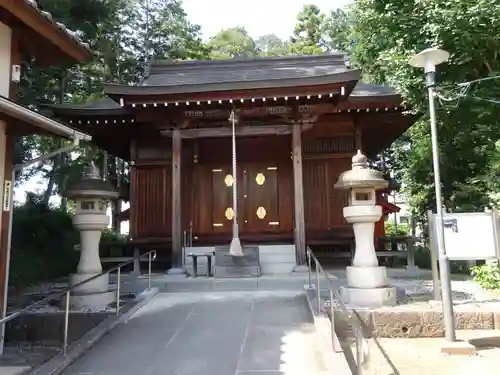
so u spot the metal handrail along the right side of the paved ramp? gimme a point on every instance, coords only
(362, 350)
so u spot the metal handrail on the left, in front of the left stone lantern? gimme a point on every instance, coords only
(67, 291)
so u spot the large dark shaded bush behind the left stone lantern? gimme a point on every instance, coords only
(43, 243)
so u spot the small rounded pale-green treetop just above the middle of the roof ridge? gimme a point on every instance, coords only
(233, 42)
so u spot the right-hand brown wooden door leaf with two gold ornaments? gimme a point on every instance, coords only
(260, 208)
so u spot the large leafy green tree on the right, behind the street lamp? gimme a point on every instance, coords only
(387, 34)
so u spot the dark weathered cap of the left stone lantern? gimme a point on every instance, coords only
(91, 186)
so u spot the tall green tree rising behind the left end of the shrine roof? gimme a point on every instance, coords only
(126, 35)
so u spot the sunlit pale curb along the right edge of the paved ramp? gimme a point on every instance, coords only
(335, 362)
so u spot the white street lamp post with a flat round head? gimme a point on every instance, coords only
(428, 59)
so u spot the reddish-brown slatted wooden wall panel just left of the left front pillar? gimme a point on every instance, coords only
(150, 208)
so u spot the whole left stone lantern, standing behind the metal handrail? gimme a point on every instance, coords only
(91, 195)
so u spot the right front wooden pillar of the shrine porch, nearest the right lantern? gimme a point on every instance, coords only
(300, 230)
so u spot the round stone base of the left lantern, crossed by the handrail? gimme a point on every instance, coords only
(95, 295)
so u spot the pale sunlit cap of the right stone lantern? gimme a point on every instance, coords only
(361, 176)
